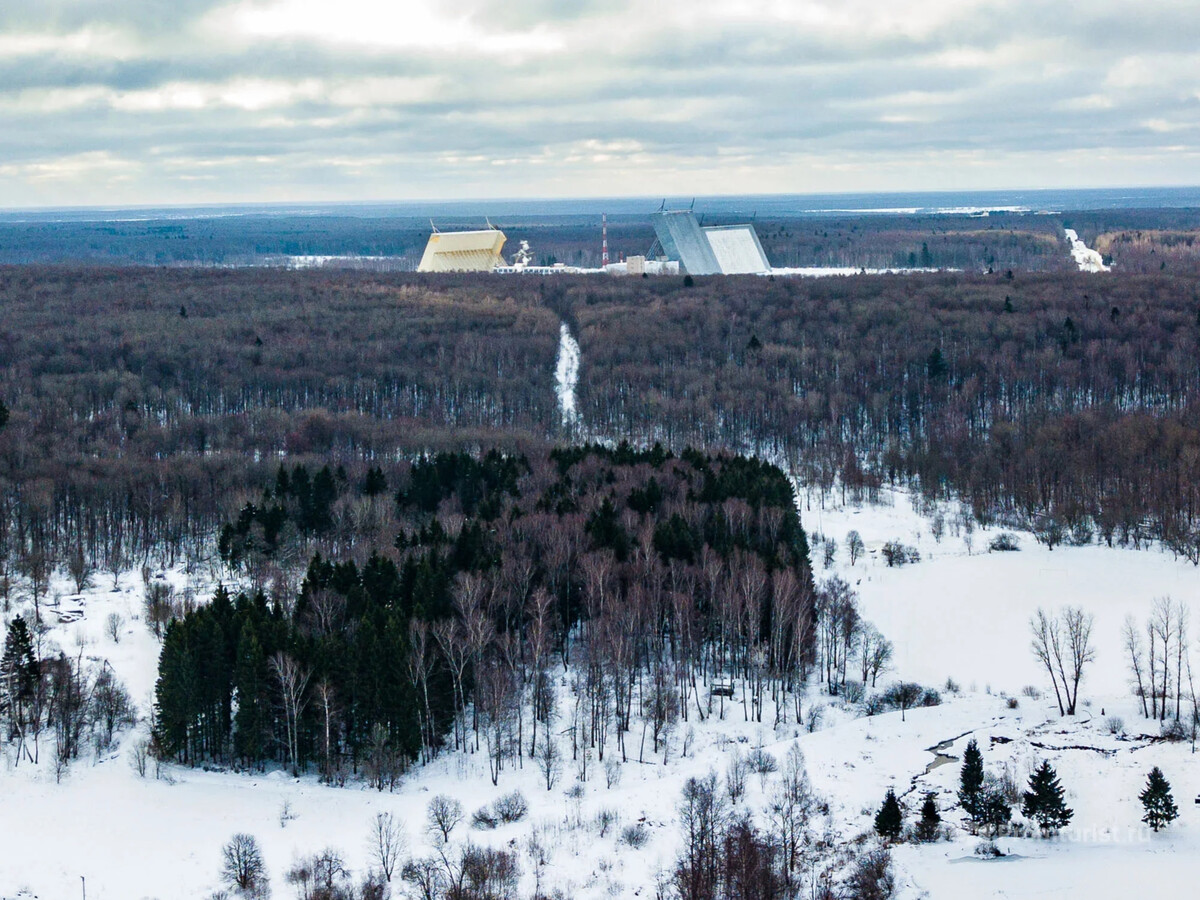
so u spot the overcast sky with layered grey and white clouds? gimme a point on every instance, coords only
(190, 101)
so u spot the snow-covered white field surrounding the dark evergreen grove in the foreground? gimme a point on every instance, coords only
(957, 614)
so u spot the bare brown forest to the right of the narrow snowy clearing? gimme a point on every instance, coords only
(1069, 403)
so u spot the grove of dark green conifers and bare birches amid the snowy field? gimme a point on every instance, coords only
(650, 574)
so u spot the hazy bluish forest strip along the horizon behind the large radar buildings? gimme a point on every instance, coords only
(1136, 241)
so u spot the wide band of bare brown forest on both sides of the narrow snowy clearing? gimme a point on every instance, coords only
(146, 409)
